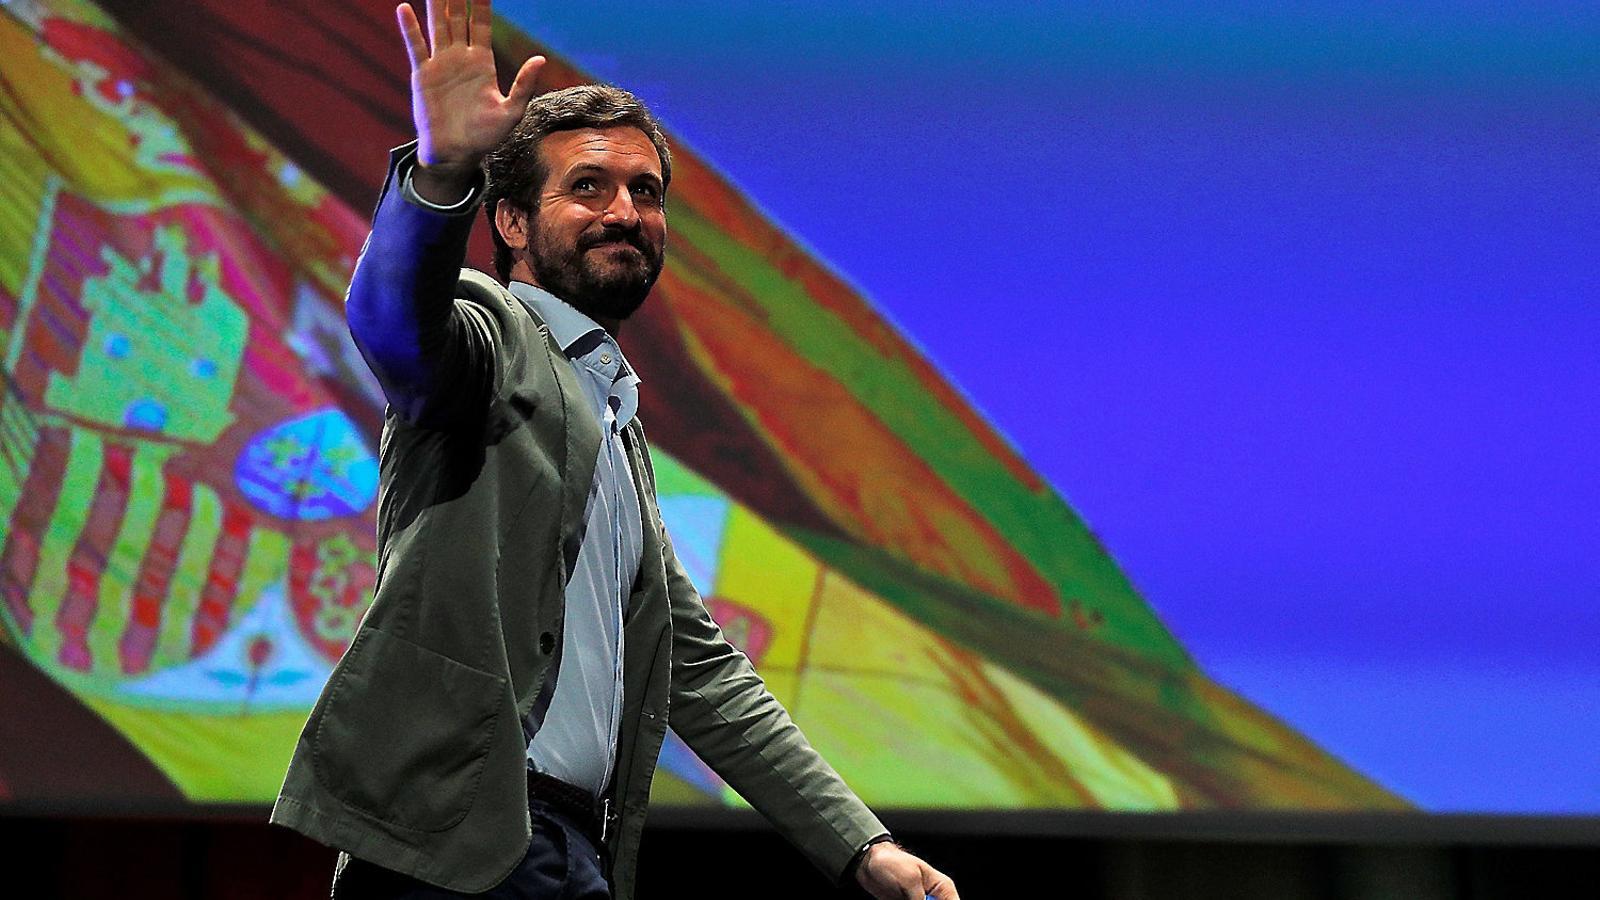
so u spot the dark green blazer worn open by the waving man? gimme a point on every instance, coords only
(414, 757)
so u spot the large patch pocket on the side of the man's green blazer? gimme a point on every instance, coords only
(406, 733)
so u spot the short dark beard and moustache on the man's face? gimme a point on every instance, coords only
(612, 291)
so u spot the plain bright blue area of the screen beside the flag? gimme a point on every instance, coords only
(1298, 308)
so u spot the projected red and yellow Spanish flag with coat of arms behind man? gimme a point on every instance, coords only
(190, 459)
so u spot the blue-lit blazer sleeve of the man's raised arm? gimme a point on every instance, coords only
(433, 355)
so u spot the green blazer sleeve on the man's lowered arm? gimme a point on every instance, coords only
(724, 712)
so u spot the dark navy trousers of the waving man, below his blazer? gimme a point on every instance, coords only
(562, 864)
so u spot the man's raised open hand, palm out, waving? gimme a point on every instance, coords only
(457, 103)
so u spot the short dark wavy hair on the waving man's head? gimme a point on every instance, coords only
(516, 169)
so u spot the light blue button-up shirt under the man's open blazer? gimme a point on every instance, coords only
(577, 737)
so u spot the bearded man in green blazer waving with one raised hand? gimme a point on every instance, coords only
(495, 725)
